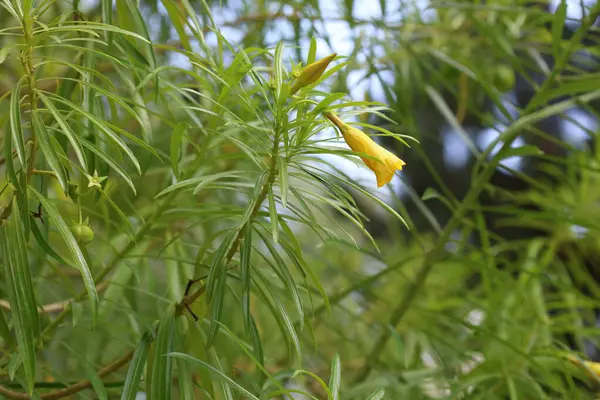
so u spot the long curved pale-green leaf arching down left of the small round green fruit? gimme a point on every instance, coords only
(76, 253)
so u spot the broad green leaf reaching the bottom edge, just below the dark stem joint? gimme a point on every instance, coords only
(162, 367)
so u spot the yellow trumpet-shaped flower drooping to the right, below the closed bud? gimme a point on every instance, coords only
(384, 163)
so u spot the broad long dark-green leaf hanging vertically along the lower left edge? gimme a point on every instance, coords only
(21, 293)
